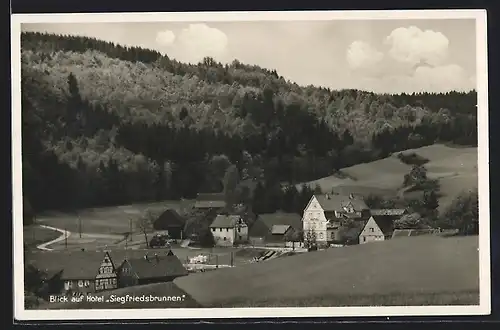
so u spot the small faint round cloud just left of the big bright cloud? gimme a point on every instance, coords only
(362, 56)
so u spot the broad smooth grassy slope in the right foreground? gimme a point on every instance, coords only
(419, 270)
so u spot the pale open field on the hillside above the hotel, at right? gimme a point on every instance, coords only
(455, 168)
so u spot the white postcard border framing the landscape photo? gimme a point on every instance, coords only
(177, 313)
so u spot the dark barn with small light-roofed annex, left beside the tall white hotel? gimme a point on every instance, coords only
(276, 229)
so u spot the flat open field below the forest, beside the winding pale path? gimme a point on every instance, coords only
(106, 220)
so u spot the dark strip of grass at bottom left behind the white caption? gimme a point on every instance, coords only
(157, 290)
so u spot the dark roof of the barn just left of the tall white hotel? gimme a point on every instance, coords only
(262, 227)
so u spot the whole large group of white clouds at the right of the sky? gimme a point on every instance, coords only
(416, 62)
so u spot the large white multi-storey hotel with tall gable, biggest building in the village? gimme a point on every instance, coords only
(325, 214)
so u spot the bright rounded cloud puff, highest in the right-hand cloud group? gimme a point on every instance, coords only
(414, 46)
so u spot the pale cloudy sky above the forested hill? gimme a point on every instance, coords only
(391, 56)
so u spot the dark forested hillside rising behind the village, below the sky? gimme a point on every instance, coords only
(105, 124)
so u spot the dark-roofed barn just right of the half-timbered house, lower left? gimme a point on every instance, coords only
(150, 269)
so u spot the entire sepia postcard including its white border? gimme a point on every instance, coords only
(250, 164)
